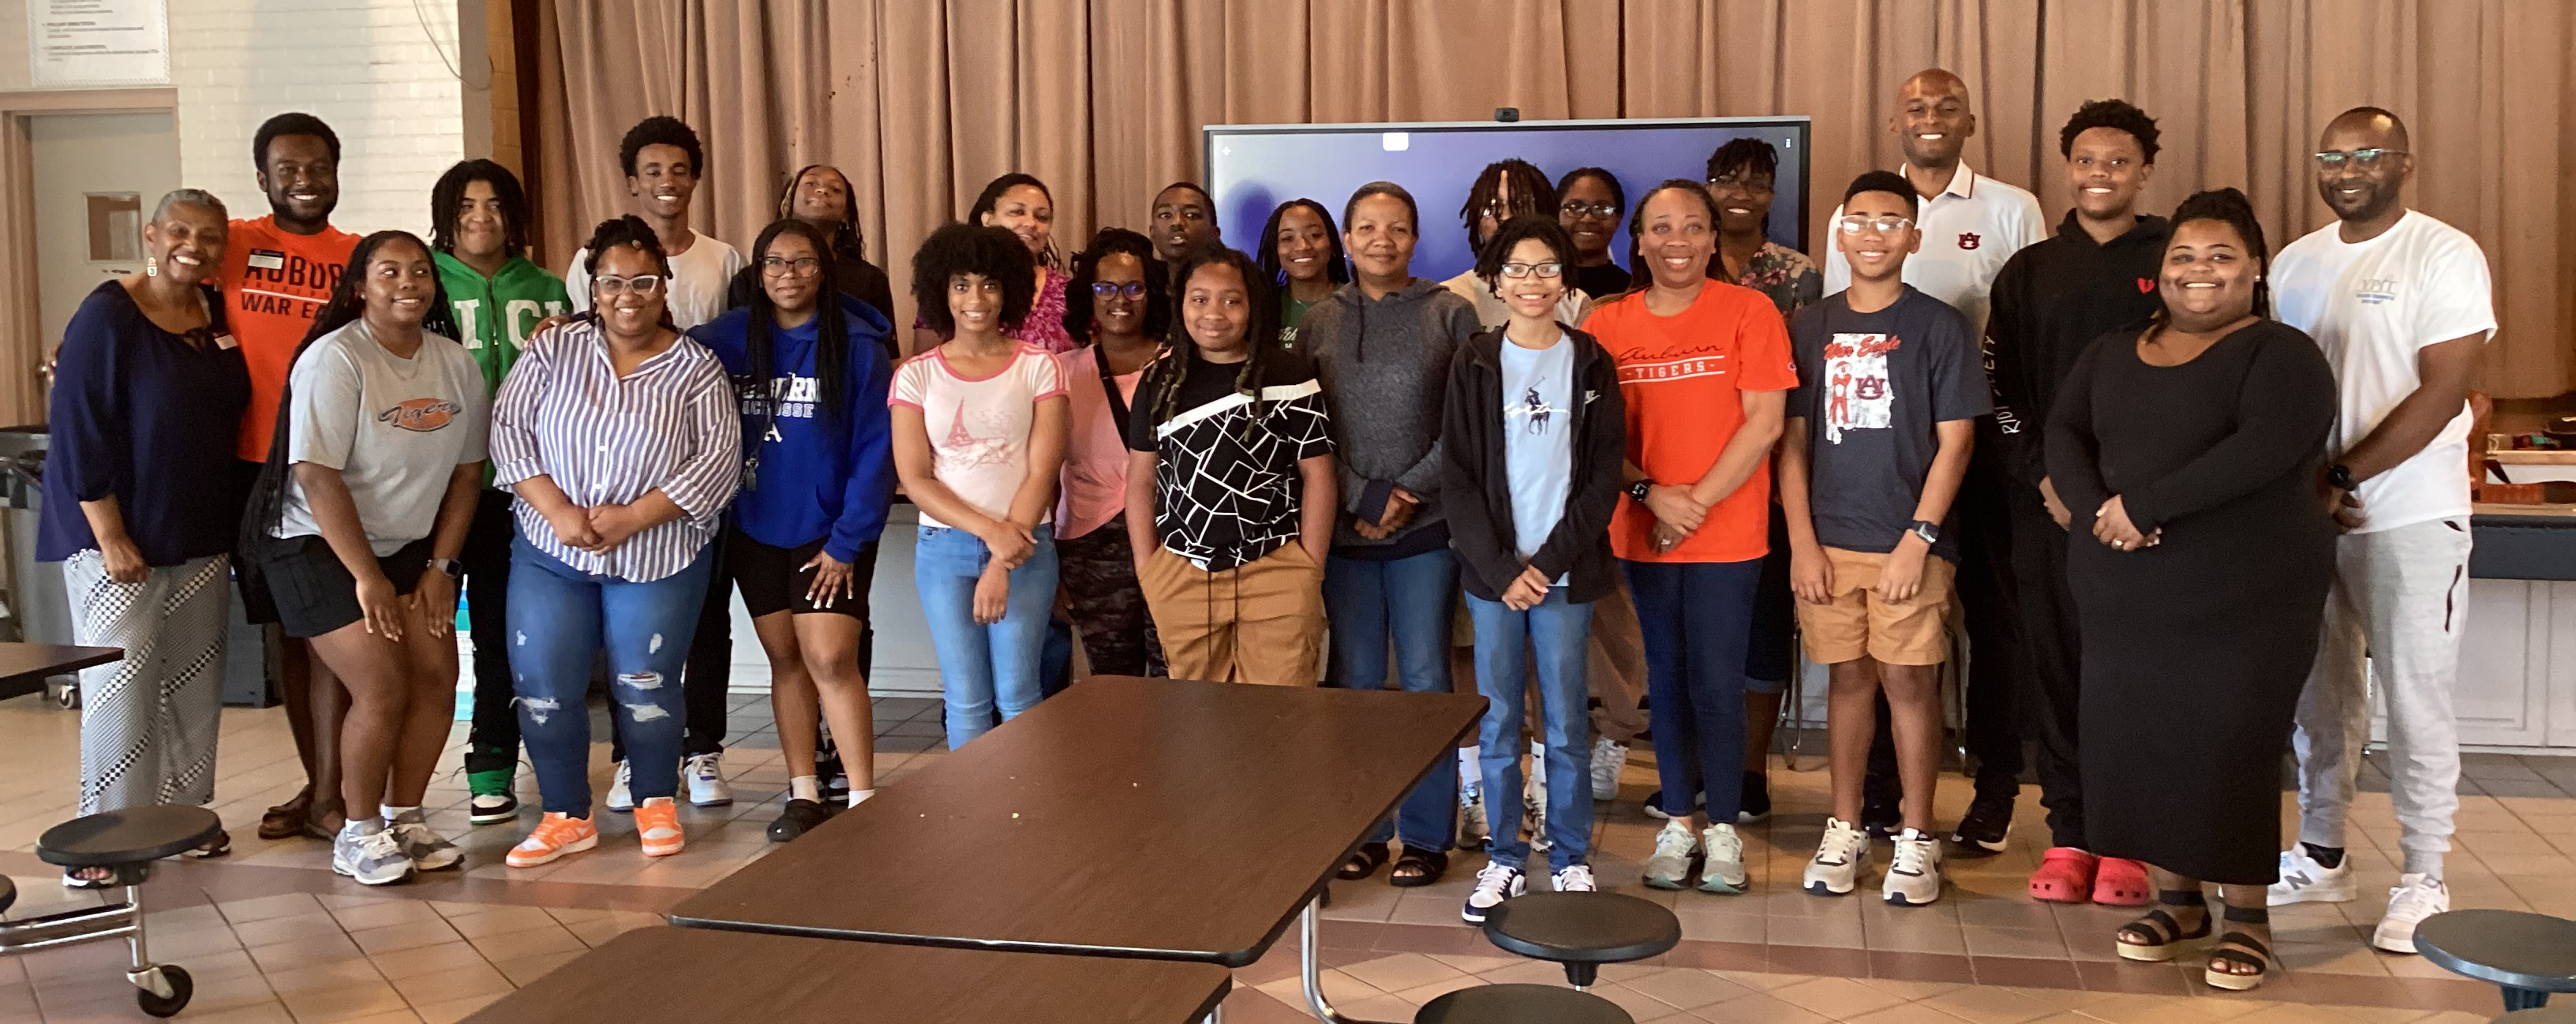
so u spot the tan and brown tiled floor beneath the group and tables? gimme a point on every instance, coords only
(274, 938)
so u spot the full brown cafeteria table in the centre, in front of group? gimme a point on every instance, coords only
(1122, 819)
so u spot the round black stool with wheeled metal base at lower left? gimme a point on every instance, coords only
(125, 843)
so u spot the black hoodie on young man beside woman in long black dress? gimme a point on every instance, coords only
(2052, 302)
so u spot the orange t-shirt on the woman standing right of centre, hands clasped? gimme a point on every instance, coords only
(1683, 382)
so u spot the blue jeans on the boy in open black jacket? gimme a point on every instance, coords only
(1557, 629)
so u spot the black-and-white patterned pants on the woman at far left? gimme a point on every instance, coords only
(148, 722)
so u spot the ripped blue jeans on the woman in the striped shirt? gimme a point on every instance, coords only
(560, 616)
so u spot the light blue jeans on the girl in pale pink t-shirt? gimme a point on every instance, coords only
(983, 665)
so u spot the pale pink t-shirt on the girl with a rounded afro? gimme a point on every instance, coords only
(978, 426)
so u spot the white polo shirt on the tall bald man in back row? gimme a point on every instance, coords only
(1969, 230)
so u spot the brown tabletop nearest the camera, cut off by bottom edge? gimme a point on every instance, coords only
(692, 976)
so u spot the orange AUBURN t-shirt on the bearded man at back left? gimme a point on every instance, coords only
(274, 284)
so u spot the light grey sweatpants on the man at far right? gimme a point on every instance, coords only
(2400, 601)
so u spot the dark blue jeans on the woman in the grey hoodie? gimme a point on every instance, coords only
(1410, 603)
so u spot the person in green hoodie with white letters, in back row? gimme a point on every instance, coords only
(480, 230)
